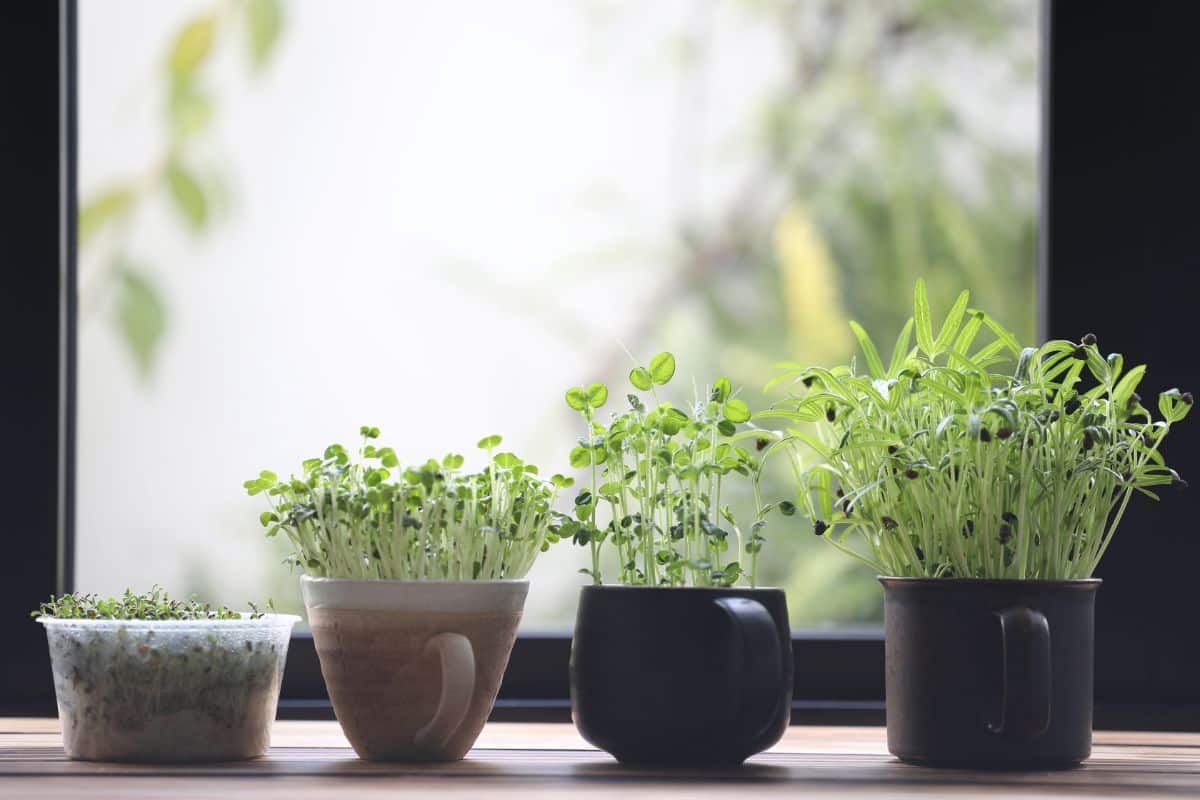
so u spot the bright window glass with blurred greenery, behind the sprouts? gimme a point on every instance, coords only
(435, 222)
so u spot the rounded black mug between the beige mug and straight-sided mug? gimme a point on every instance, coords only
(691, 677)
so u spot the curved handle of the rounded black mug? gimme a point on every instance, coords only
(759, 660)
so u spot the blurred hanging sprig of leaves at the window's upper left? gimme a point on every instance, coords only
(112, 278)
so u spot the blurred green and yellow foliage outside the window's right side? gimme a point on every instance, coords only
(869, 169)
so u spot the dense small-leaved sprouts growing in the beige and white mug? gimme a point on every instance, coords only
(373, 519)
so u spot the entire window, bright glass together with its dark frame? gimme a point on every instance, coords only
(712, 233)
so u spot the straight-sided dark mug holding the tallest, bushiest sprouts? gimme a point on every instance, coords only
(989, 673)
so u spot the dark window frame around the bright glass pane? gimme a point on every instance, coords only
(1114, 194)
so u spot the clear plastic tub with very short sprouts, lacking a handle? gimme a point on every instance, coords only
(167, 690)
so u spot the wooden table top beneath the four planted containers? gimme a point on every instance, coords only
(311, 760)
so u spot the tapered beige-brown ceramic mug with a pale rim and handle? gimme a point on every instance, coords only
(413, 667)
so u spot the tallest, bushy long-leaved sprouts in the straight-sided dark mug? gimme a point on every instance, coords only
(949, 467)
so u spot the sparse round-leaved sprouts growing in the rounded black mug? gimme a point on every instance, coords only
(657, 476)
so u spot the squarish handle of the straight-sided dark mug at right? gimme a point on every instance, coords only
(1025, 683)
